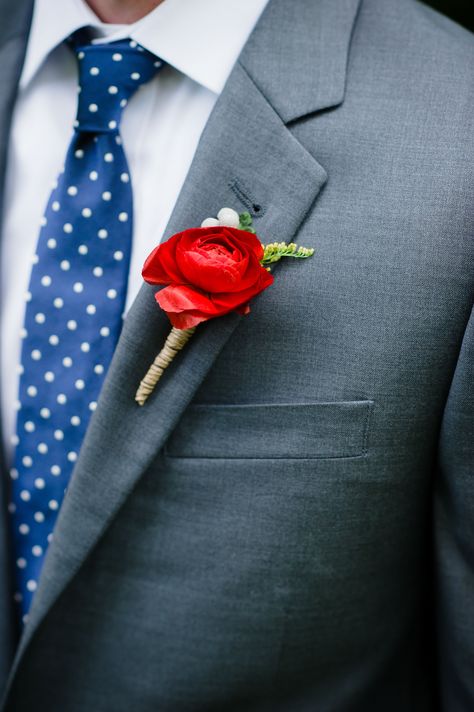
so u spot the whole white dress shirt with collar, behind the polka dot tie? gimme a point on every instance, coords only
(161, 127)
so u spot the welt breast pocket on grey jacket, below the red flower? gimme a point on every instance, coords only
(273, 431)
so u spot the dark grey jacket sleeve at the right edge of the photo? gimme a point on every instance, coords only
(454, 537)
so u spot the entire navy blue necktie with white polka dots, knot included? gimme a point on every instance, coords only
(75, 301)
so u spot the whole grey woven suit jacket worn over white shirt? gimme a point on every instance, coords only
(288, 522)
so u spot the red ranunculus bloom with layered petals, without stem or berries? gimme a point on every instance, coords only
(209, 272)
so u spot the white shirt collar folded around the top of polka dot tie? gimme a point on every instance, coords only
(200, 38)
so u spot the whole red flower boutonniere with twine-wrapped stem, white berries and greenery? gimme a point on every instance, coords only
(208, 271)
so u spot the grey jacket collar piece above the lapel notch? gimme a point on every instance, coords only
(301, 73)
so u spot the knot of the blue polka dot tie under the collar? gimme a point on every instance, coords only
(108, 76)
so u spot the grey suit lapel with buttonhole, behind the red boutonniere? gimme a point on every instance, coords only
(247, 159)
